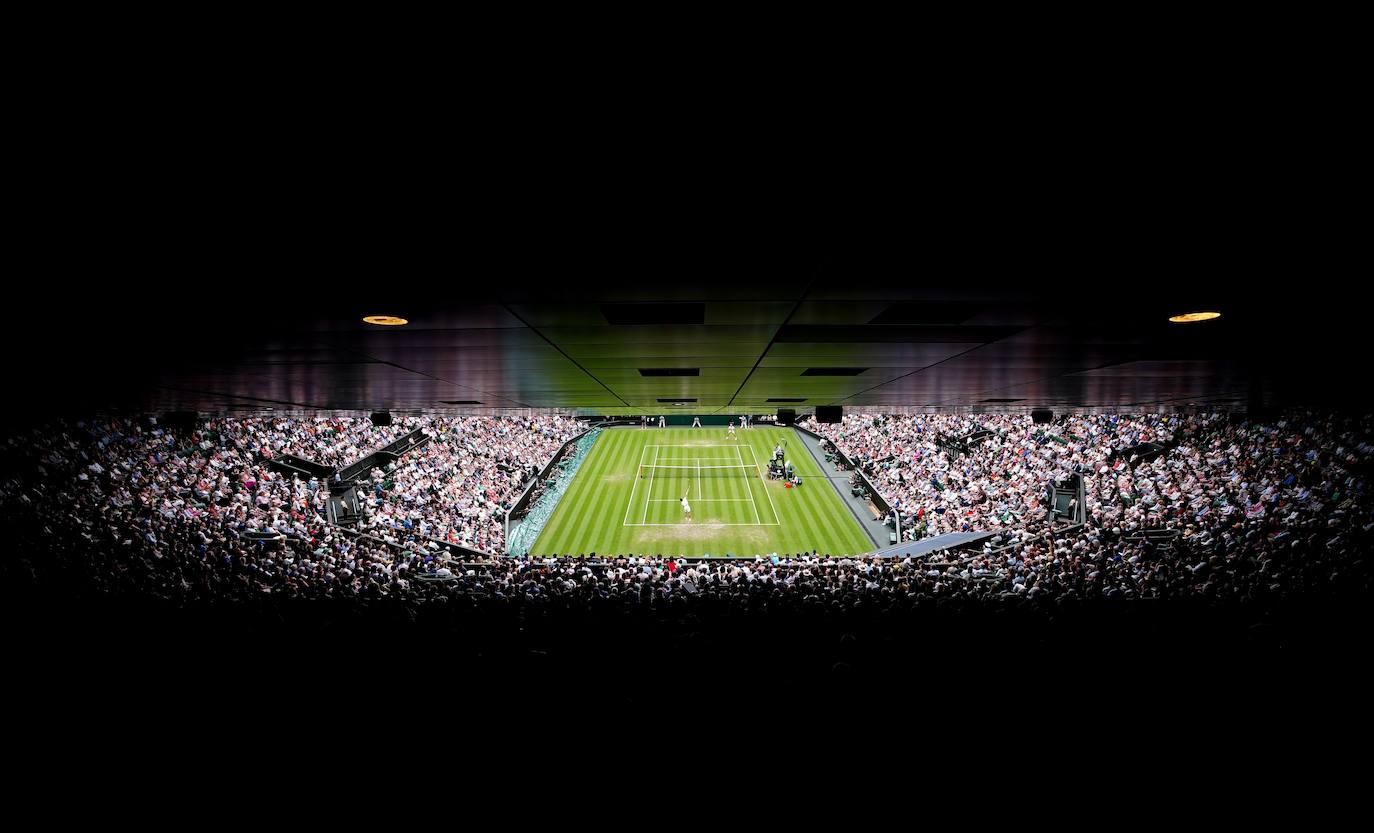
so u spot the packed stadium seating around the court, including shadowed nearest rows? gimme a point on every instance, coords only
(1240, 535)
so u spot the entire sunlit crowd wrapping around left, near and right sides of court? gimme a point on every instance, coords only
(1257, 512)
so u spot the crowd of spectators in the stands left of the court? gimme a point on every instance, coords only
(203, 504)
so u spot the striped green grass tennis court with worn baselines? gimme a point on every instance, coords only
(609, 509)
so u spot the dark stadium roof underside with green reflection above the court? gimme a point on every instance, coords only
(690, 339)
